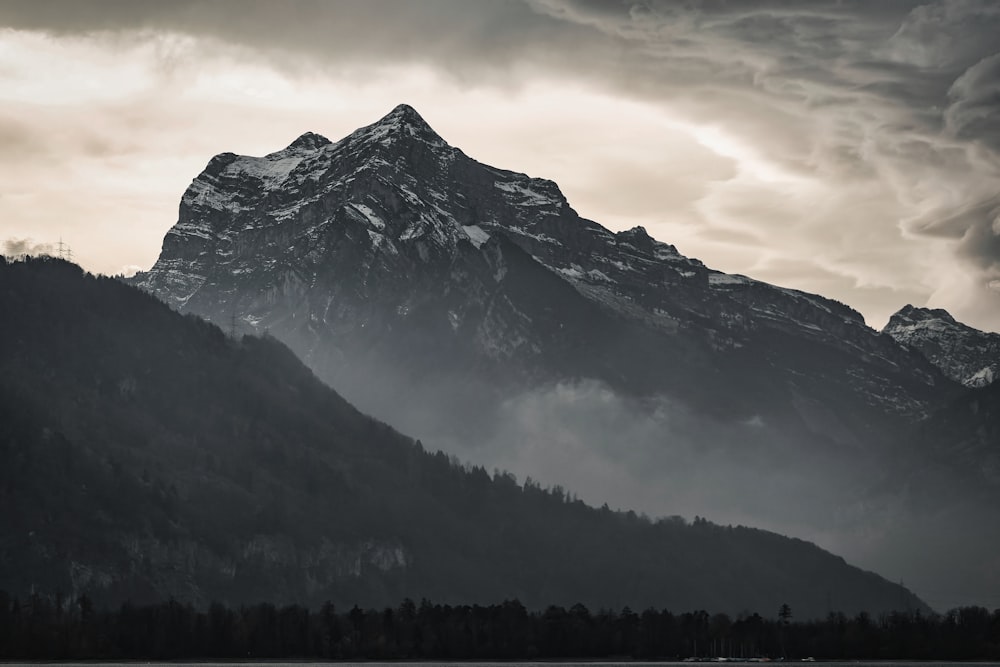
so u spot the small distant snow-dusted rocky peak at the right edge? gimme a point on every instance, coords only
(964, 354)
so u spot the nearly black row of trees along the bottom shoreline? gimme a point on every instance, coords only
(44, 628)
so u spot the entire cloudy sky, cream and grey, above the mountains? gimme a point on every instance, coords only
(846, 148)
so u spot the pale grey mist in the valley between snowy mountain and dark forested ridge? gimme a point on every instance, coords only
(660, 458)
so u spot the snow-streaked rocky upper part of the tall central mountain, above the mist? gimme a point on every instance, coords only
(392, 238)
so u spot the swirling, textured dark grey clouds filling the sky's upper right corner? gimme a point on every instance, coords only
(848, 91)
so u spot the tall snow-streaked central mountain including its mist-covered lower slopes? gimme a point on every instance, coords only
(474, 308)
